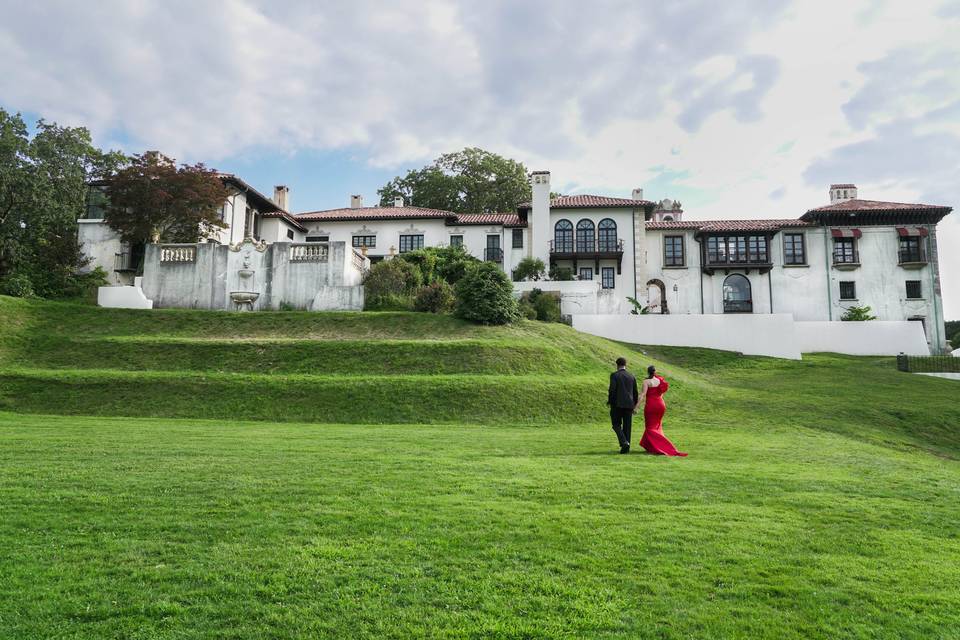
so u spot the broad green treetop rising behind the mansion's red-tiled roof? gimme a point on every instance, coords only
(468, 181)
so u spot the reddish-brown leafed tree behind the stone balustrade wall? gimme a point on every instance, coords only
(154, 200)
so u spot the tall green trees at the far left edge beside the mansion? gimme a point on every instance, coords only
(43, 185)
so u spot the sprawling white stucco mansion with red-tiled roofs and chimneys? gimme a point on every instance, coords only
(848, 253)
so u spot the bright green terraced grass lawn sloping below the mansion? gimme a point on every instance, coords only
(177, 495)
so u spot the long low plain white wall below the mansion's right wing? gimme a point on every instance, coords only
(776, 335)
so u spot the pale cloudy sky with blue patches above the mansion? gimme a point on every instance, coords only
(739, 109)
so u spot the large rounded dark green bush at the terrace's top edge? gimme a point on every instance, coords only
(485, 295)
